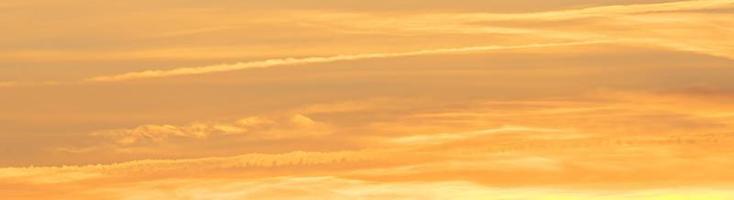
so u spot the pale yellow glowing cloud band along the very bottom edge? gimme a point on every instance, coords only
(343, 188)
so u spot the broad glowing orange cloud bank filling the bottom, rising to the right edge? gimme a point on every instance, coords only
(449, 146)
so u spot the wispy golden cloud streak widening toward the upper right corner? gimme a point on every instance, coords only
(623, 24)
